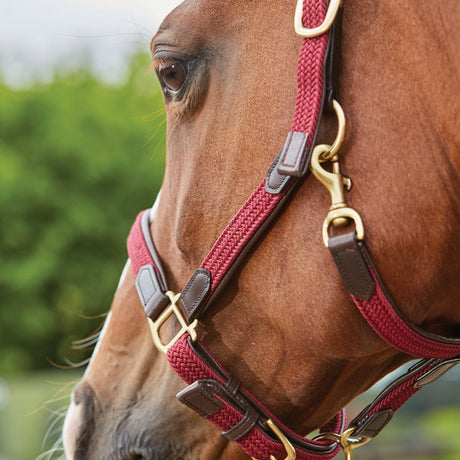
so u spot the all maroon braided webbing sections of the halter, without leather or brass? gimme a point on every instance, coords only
(241, 231)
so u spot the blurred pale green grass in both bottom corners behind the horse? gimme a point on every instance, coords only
(30, 405)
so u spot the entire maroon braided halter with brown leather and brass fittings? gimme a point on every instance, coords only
(214, 393)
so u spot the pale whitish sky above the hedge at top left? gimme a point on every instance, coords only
(38, 36)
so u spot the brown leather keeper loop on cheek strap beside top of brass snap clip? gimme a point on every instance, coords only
(294, 156)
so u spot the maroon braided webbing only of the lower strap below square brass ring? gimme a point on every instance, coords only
(190, 368)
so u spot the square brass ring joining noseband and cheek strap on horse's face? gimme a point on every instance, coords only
(172, 309)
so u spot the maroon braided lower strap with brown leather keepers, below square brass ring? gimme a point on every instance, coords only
(241, 415)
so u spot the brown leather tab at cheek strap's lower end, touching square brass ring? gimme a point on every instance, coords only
(194, 293)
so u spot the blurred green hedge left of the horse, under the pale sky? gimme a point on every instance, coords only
(78, 160)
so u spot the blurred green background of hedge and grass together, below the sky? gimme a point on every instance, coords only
(78, 159)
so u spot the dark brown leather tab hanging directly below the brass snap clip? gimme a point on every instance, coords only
(352, 265)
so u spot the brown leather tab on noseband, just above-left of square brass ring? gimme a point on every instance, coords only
(152, 297)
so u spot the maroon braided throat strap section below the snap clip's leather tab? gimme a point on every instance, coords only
(383, 318)
